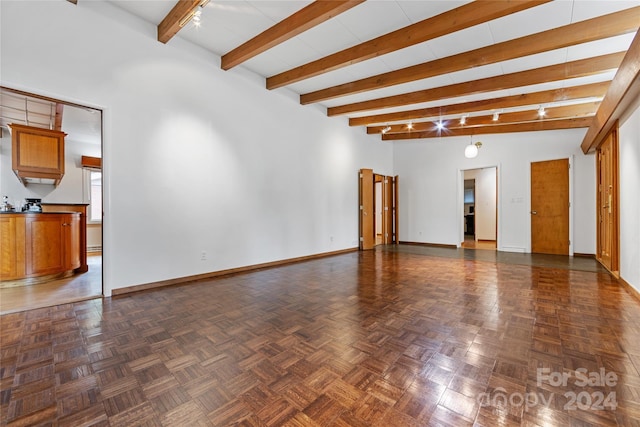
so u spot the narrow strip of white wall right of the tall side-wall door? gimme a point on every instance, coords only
(629, 137)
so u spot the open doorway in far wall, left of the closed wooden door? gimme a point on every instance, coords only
(480, 208)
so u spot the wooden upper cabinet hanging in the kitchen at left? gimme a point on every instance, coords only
(38, 154)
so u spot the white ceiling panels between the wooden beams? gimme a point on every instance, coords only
(228, 24)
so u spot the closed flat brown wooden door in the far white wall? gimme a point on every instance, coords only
(550, 207)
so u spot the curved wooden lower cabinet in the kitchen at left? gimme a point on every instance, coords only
(39, 244)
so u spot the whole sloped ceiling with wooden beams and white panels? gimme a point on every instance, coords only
(533, 53)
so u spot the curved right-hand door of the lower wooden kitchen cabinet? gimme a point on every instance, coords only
(45, 240)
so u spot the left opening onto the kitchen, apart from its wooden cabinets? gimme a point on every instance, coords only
(79, 190)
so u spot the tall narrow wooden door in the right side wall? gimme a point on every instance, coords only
(607, 246)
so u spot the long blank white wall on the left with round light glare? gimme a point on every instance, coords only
(196, 159)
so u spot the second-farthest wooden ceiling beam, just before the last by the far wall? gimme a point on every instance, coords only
(551, 113)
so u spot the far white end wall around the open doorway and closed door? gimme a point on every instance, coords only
(431, 188)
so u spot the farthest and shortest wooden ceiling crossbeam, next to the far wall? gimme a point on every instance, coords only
(581, 122)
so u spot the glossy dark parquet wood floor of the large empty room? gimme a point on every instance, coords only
(380, 338)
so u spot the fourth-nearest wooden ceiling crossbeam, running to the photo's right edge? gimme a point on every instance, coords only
(611, 25)
